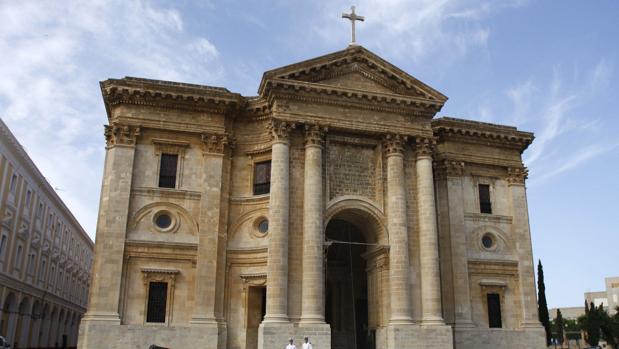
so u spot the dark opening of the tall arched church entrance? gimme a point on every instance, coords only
(346, 308)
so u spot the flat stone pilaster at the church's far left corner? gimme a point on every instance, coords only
(112, 224)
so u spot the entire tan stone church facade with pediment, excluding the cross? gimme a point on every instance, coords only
(333, 204)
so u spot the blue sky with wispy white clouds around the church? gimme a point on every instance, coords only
(549, 67)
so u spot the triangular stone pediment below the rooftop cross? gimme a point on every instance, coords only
(355, 68)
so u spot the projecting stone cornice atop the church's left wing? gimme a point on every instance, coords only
(166, 94)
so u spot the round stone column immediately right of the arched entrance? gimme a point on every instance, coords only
(399, 262)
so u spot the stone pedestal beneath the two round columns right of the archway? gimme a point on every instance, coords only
(419, 337)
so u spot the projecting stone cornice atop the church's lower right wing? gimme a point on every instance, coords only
(481, 133)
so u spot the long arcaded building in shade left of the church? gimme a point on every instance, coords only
(45, 256)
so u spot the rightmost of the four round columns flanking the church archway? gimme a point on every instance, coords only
(428, 237)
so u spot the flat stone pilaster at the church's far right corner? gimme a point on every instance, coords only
(521, 231)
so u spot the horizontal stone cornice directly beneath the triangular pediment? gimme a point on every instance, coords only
(351, 98)
